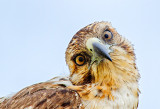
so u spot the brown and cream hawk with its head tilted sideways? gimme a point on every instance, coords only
(103, 75)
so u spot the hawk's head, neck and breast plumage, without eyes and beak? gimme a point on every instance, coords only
(105, 79)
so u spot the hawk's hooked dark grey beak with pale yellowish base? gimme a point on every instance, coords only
(98, 50)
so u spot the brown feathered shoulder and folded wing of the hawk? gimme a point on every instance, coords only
(51, 94)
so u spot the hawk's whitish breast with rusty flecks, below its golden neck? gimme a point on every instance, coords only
(123, 98)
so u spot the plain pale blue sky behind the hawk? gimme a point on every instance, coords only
(34, 35)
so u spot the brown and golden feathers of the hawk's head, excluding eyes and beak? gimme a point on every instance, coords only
(123, 57)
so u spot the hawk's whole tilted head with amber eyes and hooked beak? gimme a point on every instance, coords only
(98, 54)
